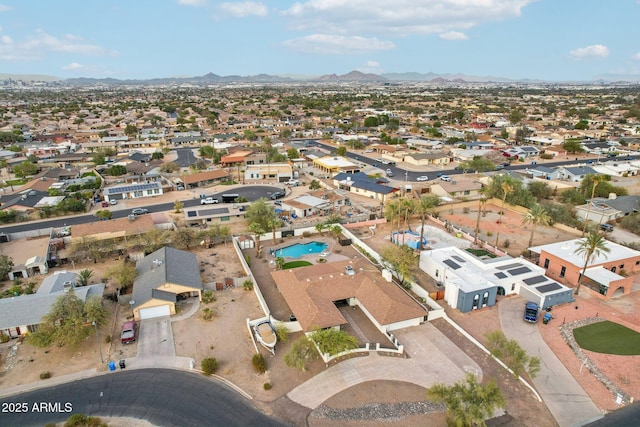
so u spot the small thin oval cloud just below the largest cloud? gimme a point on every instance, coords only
(337, 44)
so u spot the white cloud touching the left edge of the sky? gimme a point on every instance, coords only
(38, 45)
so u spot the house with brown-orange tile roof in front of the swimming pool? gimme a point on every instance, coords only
(312, 292)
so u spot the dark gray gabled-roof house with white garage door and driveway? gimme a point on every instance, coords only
(164, 277)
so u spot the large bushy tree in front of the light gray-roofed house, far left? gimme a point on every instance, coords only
(68, 322)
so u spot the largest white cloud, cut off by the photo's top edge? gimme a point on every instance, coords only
(404, 17)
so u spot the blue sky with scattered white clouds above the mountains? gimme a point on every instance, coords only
(557, 40)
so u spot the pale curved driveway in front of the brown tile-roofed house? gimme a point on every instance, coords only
(433, 358)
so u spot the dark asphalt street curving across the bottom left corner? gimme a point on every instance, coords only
(161, 396)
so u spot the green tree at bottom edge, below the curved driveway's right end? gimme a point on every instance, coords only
(468, 403)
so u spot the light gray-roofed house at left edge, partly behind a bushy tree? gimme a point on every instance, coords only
(22, 314)
